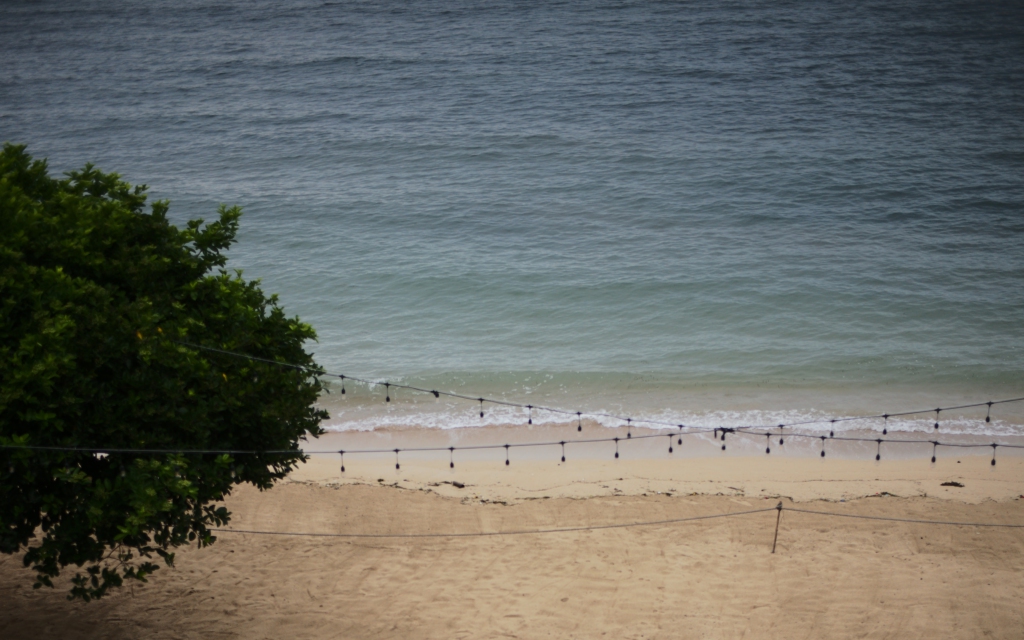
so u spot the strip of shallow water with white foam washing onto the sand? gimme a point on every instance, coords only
(647, 399)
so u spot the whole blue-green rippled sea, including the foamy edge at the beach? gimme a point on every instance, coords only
(697, 211)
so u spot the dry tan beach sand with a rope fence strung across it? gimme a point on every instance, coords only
(831, 578)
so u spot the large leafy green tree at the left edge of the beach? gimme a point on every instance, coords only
(100, 303)
